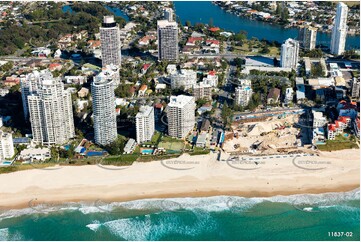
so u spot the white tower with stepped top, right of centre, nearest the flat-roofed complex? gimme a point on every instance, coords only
(289, 53)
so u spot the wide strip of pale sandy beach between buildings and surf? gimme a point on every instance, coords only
(186, 176)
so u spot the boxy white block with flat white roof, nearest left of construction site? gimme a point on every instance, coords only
(181, 117)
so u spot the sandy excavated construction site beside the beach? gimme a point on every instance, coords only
(273, 135)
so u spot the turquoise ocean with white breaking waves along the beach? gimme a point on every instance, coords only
(294, 217)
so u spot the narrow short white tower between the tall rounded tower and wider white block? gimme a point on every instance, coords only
(145, 124)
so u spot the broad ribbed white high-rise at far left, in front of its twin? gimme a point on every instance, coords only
(50, 110)
